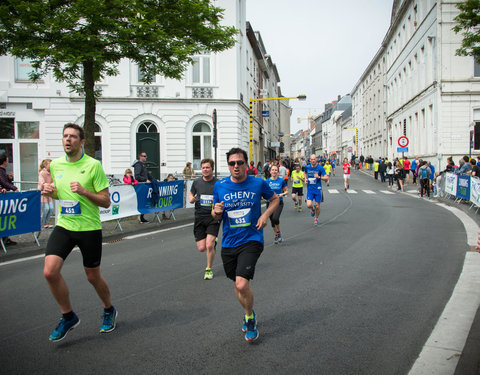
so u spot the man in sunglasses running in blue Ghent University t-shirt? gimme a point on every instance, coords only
(237, 201)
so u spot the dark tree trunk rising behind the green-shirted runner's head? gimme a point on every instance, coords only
(90, 107)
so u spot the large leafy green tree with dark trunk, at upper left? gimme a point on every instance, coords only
(82, 41)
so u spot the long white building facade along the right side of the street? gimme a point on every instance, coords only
(431, 95)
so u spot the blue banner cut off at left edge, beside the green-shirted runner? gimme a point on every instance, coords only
(19, 213)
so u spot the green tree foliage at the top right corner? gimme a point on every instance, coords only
(469, 23)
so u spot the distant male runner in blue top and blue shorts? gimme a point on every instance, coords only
(314, 174)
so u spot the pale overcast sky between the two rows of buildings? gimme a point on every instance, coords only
(320, 47)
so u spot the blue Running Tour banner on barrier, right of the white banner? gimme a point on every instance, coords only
(169, 197)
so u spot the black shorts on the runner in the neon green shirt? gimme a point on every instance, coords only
(62, 242)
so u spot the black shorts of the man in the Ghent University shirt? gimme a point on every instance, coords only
(241, 260)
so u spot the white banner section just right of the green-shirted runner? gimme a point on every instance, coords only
(124, 203)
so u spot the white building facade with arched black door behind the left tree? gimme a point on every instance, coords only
(171, 120)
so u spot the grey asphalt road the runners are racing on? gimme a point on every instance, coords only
(359, 294)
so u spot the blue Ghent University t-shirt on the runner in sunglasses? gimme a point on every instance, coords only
(242, 208)
